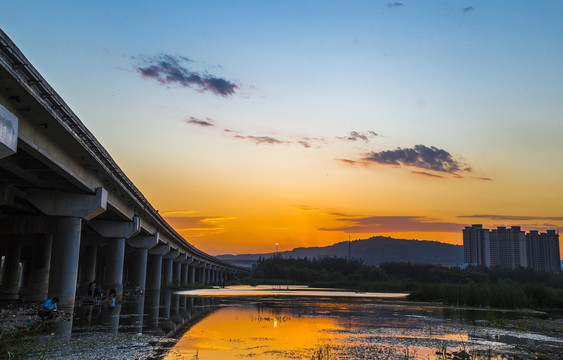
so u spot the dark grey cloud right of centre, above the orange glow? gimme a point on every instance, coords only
(421, 156)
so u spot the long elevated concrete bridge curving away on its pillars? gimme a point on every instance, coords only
(68, 214)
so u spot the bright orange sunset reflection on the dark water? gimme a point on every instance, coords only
(234, 333)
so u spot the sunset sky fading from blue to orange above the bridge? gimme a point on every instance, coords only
(251, 123)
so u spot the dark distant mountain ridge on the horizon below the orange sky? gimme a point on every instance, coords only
(374, 251)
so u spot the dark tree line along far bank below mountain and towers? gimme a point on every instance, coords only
(471, 286)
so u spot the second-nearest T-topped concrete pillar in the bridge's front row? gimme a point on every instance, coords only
(116, 232)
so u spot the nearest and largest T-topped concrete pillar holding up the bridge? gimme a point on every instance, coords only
(69, 209)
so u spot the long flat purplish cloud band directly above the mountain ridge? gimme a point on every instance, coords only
(386, 224)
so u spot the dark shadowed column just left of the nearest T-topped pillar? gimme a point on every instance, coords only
(38, 284)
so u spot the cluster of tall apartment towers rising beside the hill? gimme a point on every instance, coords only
(511, 248)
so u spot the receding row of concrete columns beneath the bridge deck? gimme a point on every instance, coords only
(59, 255)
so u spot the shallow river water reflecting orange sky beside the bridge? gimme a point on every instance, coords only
(293, 323)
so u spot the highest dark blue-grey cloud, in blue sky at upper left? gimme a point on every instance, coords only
(168, 69)
